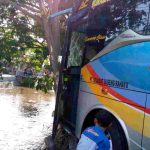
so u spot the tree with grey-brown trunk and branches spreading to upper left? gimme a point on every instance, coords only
(37, 12)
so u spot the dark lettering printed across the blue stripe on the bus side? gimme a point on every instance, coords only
(111, 83)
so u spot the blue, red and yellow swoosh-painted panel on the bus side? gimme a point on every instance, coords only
(123, 74)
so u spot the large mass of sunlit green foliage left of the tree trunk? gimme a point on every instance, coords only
(19, 34)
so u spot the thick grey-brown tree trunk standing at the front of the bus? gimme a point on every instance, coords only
(52, 35)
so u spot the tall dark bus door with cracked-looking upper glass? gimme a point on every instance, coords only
(71, 75)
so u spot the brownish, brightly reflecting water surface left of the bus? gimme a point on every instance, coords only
(25, 118)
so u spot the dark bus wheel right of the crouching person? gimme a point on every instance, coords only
(117, 137)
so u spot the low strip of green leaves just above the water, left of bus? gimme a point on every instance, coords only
(45, 83)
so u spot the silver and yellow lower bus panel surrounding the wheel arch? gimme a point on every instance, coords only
(89, 101)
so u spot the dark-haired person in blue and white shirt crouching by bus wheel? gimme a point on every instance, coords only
(94, 138)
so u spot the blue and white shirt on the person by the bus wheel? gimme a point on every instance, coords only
(93, 138)
